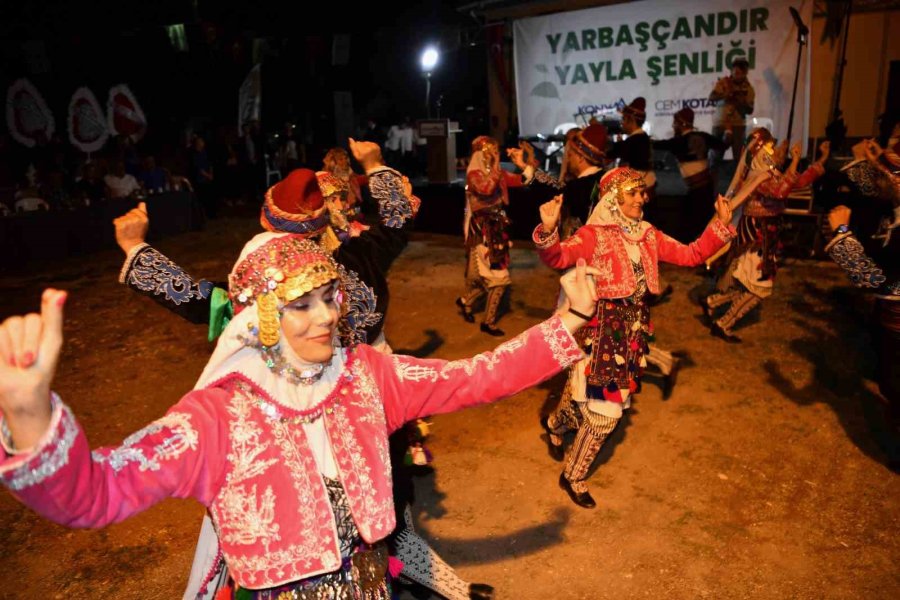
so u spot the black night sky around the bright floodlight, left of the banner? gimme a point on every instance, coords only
(61, 45)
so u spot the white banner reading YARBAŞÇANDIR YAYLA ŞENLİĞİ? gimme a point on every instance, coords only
(572, 65)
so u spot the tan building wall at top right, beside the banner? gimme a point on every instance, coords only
(873, 43)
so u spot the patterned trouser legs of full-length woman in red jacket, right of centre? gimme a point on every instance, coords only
(593, 429)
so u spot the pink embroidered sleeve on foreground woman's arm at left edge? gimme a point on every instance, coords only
(177, 456)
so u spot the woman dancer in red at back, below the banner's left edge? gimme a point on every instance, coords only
(486, 232)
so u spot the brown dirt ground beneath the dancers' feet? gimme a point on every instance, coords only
(763, 476)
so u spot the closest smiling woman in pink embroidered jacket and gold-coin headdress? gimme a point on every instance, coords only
(284, 438)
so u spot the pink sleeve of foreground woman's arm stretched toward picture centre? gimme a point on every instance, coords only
(412, 388)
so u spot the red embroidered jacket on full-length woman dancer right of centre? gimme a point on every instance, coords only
(603, 247)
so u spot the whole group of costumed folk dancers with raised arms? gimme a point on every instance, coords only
(295, 433)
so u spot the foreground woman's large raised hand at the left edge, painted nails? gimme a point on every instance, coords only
(29, 351)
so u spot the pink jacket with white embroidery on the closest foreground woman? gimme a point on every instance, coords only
(246, 458)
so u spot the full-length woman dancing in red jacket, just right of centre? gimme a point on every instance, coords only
(625, 251)
